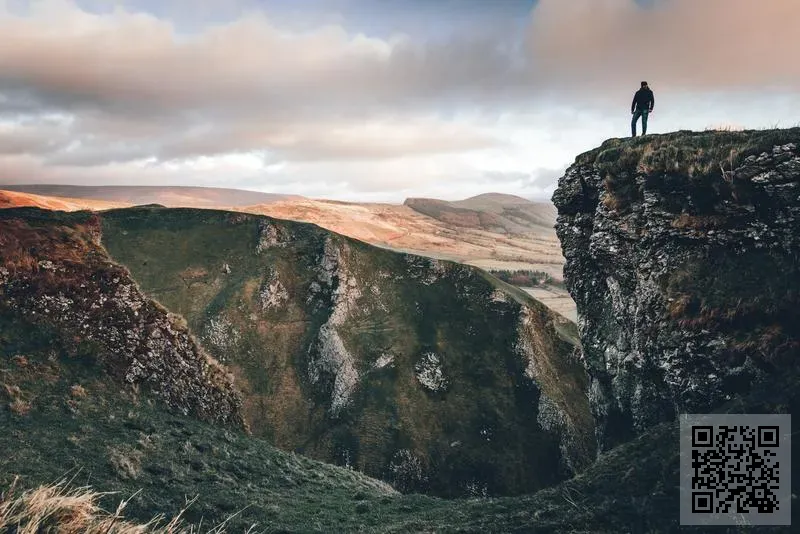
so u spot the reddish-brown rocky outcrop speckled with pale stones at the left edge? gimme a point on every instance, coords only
(58, 276)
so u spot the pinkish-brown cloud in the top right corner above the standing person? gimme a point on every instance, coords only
(605, 45)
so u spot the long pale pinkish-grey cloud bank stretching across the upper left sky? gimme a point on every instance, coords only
(135, 62)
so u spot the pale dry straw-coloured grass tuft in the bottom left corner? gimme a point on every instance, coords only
(60, 509)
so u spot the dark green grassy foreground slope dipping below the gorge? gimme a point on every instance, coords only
(61, 416)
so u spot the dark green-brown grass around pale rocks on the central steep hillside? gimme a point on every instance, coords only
(176, 257)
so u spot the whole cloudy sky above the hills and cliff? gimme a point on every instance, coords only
(372, 100)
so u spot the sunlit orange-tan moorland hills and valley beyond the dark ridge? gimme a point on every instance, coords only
(533, 247)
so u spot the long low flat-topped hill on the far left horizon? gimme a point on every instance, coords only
(174, 197)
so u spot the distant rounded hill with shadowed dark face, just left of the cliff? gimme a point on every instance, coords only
(492, 212)
